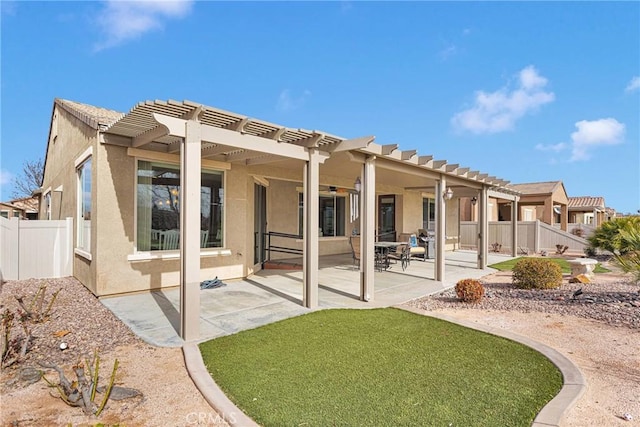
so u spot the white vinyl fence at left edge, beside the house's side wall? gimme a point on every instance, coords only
(35, 249)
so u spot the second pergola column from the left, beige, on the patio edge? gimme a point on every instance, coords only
(311, 225)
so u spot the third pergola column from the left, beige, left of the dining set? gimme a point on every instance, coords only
(368, 229)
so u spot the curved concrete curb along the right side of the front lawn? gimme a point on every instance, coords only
(573, 382)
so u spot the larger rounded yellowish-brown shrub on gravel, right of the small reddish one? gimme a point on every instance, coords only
(536, 273)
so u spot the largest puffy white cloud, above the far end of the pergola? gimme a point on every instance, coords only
(498, 111)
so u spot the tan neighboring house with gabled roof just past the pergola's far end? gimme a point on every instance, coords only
(544, 201)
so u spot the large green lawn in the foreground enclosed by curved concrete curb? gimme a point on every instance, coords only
(379, 367)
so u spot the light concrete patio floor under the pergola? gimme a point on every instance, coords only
(272, 295)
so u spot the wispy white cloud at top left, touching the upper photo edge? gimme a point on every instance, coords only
(122, 21)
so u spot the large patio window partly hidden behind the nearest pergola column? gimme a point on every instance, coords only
(159, 207)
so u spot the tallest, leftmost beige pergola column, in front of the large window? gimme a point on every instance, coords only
(190, 182)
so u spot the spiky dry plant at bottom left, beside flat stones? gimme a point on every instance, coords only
(82, 391)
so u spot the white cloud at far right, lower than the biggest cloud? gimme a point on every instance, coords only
(595, 133)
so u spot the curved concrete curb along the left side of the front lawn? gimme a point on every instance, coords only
(210, 390)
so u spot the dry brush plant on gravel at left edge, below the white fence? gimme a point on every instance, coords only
(14, 346)
